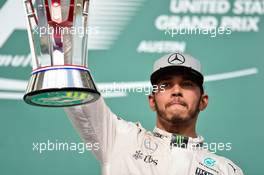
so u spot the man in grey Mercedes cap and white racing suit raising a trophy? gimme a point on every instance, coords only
(173, 148)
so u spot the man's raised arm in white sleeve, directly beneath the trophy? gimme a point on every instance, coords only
(96, 124)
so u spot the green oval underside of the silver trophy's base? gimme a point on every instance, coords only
(60, 98)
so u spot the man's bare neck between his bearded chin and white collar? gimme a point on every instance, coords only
(181, 128)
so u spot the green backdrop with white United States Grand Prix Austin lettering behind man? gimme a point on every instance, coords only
(128, 37)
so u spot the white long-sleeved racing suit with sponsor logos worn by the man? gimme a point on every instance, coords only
(126, 148)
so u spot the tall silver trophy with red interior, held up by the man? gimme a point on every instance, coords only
(57, 32)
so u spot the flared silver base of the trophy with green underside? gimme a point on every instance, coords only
(61, 87)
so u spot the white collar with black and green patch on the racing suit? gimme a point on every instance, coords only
(176, 140)
